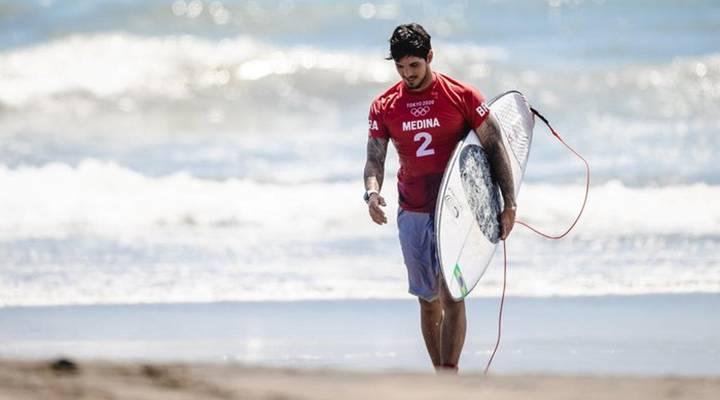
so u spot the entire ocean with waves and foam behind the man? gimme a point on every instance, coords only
(200, 151)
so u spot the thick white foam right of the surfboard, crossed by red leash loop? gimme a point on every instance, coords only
(614, 208)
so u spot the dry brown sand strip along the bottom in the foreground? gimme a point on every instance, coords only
(21, 380)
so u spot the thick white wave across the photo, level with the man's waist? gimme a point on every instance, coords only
(103, 197)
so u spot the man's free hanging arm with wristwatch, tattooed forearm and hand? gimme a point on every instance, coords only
(374, 175)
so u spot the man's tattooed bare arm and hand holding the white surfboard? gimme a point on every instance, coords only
(491, 139)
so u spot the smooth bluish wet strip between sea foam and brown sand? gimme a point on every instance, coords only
(653, 335)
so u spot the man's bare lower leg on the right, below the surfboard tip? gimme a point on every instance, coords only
(454, 326)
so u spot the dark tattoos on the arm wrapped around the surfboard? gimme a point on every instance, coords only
(491, 139)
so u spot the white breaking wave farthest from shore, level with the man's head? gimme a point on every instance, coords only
(121, 66)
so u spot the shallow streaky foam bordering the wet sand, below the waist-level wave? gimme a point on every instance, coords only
(239, 268)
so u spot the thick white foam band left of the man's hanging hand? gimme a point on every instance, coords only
(103, 197)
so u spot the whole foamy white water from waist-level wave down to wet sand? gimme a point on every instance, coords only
(102, 233)
